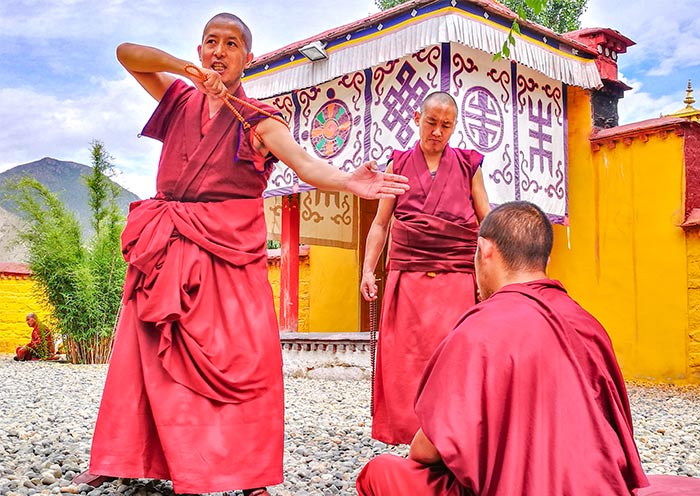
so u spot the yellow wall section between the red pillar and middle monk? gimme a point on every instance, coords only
(334, 293)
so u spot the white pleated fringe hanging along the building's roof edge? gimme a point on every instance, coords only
(365, 49)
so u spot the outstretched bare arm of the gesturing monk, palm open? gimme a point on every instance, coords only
(365, 182)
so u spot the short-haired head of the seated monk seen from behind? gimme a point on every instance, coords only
(522, 233)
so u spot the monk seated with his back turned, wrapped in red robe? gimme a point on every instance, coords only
(524, 397)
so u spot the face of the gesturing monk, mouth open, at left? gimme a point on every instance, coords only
(224, 50)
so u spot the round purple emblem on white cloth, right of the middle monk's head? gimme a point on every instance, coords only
(483, 119)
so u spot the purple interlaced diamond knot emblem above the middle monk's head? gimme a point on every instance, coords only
(401, 103)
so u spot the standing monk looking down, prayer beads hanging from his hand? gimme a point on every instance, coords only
(430, 281)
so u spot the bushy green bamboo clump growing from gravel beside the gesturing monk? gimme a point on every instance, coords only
(82, 281)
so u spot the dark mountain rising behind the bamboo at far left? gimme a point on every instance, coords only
(65, 180)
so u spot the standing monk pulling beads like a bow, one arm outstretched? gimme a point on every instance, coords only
(194, 391)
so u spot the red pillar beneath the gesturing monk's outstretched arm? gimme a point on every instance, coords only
(289, 265)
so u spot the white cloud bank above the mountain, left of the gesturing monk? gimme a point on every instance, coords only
(37, 125)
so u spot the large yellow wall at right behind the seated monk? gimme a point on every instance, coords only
(623, 257)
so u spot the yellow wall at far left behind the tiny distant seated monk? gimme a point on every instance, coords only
(17, 299)
